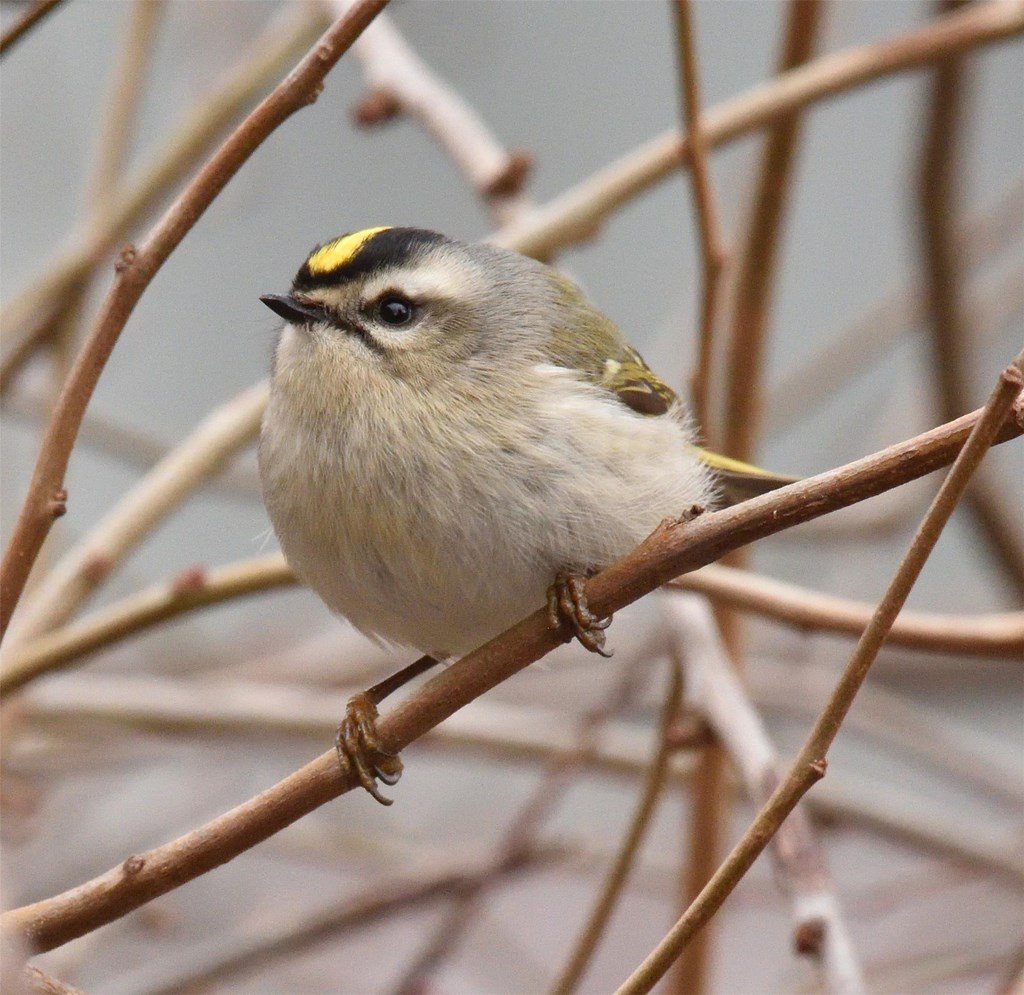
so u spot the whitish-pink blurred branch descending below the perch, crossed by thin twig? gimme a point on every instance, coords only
(713, 688)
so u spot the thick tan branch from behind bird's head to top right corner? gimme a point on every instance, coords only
(577, 214)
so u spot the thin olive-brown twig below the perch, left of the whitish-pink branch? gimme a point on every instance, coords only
(571, 976)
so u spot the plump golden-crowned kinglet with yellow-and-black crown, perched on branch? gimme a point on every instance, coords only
(452, 428)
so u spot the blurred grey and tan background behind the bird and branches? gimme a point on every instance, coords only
(921, 815)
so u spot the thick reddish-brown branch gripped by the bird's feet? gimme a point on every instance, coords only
(671, 550)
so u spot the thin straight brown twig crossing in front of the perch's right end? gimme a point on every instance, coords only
(809, 766)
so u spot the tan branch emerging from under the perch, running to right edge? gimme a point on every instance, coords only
(990, 635)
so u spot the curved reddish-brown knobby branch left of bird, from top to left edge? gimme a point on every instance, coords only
(135, 272)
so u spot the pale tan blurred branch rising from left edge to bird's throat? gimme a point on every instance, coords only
(200, 456)
